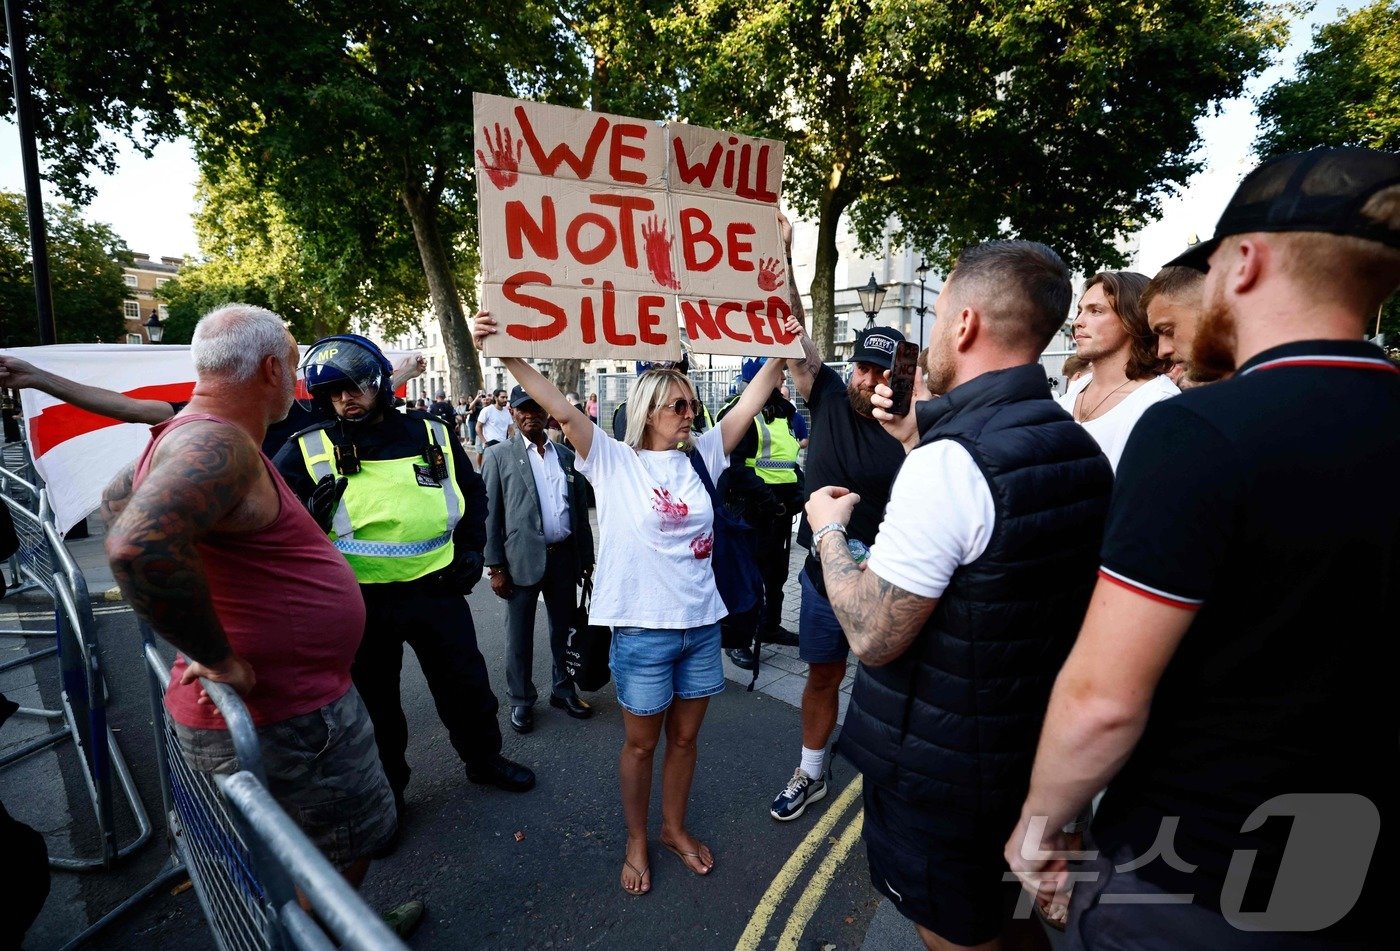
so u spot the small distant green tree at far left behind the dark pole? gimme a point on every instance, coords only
(85, 277)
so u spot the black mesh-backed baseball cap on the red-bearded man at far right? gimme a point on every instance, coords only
(1321, 191)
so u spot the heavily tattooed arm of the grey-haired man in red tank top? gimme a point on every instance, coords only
(202, 471)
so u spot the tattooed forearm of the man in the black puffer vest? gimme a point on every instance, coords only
(881, 620)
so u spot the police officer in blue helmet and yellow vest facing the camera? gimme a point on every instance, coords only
(402, 504)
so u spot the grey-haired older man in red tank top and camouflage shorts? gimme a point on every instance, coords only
(213, 550)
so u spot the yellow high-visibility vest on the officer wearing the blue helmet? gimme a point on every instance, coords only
(390, 526)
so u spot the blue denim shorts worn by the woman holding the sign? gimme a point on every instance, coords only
(653, 666)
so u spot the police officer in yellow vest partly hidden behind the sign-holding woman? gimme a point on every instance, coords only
(771, 450)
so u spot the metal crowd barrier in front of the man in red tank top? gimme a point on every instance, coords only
(243, 854)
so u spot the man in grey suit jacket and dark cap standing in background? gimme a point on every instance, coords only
(538, 540)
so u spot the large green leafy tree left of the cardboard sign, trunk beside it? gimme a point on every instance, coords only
(356, 116)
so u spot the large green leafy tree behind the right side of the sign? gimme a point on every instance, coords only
(1060, 121)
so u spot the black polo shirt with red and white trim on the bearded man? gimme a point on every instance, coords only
(1265, 504)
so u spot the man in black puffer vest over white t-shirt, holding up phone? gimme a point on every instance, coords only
(975, 590)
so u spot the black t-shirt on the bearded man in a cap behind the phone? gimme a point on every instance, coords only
(848, 450)
